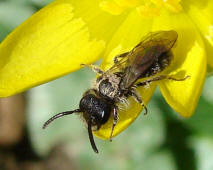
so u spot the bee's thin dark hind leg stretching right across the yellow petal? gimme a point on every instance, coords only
(158, 78)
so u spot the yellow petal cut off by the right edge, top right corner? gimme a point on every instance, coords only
(201, 12)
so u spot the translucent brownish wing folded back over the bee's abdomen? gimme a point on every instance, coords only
(141, 58)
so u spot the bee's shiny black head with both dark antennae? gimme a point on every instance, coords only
(96, 111)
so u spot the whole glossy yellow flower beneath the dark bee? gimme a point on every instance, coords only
(66, 33)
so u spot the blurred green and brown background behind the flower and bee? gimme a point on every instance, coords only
(162, 140)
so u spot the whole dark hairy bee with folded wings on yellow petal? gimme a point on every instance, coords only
(132, 69)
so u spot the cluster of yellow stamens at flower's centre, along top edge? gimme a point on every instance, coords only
(146, 8)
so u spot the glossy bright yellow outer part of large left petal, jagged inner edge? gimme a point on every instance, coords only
(51, 43)
